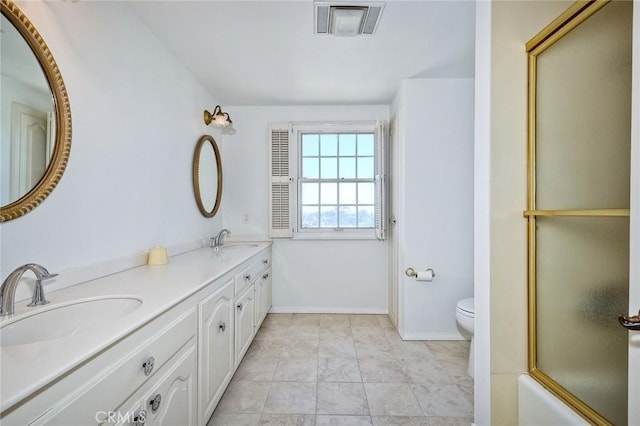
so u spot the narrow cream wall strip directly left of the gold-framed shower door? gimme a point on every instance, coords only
(512, 25)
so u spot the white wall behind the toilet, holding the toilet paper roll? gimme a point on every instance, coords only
(433, 177)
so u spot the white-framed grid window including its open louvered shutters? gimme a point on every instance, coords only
(332, 185)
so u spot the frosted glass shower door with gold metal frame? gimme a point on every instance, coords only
(581, 221)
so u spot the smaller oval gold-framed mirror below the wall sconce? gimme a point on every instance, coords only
(207, 176)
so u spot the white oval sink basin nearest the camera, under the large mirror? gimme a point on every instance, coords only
(64, 320)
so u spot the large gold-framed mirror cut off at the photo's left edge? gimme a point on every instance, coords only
(35, 120)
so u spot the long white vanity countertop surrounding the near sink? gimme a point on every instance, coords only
(27, 368)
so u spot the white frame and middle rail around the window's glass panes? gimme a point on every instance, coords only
(355, 127)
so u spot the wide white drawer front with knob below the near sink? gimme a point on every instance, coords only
(115, 381)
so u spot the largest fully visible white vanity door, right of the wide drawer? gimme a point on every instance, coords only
(215, 348)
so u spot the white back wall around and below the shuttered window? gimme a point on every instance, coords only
(308, 276)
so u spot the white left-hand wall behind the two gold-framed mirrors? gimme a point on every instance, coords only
(136, 117)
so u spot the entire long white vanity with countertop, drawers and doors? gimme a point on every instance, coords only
(164, 352)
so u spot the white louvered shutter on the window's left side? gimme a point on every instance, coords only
(280, 183)
